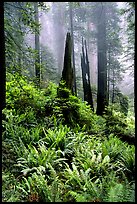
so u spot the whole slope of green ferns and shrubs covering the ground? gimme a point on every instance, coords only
(55, 148)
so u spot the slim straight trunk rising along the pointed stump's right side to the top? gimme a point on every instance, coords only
(73, 53)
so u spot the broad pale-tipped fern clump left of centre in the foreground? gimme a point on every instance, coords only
(35, 157)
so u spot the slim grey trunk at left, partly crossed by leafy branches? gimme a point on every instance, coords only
(37, 47)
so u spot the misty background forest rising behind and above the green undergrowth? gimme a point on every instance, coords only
(35, 35)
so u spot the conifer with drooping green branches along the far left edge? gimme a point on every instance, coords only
(13, 35)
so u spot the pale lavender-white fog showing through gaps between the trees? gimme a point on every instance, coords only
(55, 23)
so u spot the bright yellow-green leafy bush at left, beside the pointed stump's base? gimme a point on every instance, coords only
(24, 97)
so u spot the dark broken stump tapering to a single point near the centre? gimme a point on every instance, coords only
(67, 73)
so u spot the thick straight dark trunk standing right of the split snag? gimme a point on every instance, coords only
(102, 60)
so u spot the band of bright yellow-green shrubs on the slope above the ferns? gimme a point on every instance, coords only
(23, 96)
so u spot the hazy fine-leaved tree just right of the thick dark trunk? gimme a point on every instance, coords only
(114, 49)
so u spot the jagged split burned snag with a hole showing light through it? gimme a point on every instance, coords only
(86, 77)
